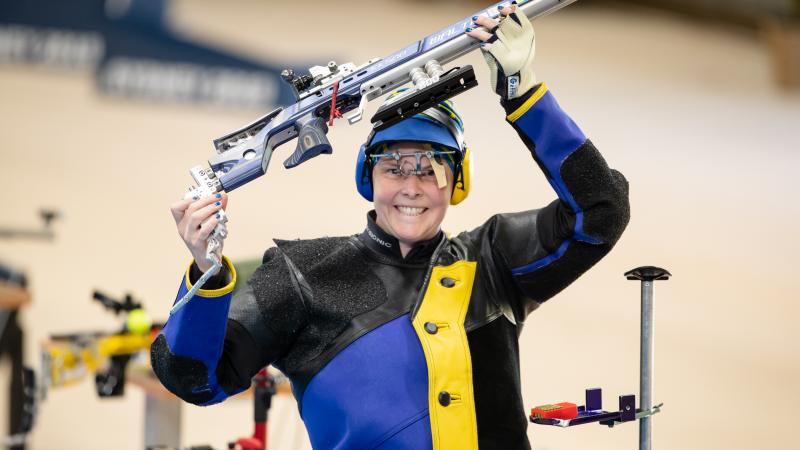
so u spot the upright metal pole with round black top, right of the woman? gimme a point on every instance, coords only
(646, 274)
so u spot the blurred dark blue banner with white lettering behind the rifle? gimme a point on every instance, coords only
(134, 53)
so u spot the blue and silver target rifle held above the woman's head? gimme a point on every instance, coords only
(328, 92)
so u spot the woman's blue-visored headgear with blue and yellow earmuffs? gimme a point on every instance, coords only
(440, 126)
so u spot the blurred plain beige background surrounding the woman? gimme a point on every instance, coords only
(686, 109)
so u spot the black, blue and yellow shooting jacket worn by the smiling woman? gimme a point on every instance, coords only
(418, 352)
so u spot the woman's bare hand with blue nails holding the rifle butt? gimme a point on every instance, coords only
(196, 219)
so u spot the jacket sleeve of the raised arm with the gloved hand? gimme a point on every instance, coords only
(543, 251)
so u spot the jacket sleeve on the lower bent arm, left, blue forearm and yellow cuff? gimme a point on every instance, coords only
(212, 347)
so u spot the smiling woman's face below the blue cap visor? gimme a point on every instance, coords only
(410, 208)
